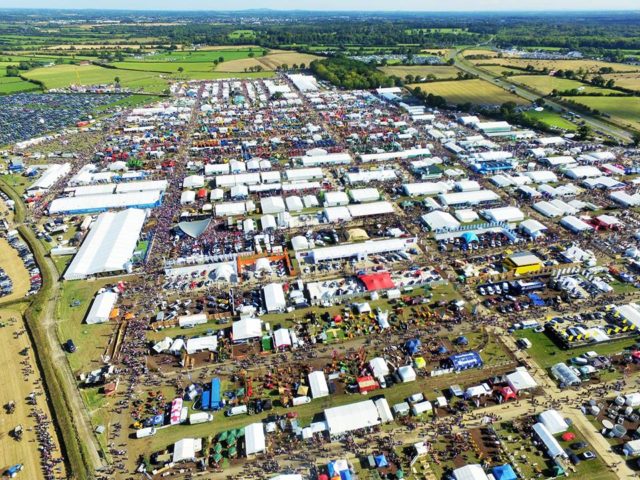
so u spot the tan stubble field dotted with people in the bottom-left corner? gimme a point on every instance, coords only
(16, 386)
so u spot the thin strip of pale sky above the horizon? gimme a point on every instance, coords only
(360, 5)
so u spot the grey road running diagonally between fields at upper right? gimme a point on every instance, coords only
(593, 122)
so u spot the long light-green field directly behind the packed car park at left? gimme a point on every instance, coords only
(61, 76)
